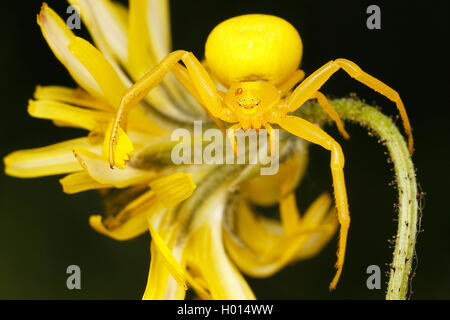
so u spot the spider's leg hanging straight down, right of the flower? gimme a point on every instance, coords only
(314, 134)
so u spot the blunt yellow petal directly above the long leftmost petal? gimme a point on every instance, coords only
(64, 113)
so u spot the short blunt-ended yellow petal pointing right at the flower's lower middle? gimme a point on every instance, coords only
(173, 189)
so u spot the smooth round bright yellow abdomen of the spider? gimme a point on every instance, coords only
(253, 47)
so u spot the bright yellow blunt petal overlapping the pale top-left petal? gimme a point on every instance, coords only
(100, 69)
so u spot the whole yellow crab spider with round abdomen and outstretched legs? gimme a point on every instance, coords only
(256, 57)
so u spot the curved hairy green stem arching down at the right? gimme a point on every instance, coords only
(382, 125)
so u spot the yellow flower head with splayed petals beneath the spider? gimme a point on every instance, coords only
(201, 239)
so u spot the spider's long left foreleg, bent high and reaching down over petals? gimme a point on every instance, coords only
(201, 81)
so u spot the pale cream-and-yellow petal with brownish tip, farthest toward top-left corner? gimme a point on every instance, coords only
(58, 37)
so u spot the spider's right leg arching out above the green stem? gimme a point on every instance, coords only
(313, 83)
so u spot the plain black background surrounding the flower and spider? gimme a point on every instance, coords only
(42, 230)
